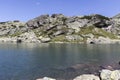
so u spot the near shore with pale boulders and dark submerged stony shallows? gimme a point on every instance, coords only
(92, 72)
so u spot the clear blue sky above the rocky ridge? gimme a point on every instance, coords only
(27, 9)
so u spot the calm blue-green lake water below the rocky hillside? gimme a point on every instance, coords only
(32, 61)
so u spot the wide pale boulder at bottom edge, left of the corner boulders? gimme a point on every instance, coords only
(87, 77)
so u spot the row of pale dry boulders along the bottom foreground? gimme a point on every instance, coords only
(105, 74)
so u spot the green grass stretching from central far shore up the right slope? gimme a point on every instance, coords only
(84, 31)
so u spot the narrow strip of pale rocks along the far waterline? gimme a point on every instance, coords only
(35, 40)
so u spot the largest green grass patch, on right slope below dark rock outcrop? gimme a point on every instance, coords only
(97, 33)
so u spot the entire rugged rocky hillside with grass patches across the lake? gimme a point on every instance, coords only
(92, 29)
